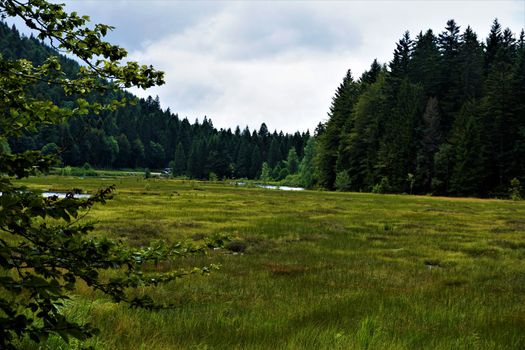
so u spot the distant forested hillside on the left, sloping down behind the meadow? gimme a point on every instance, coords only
(145, 135)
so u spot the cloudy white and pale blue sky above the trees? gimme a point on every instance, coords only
(278, 62)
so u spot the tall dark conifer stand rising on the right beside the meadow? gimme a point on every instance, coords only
(445, 116)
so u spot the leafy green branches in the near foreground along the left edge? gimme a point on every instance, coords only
(44, 249)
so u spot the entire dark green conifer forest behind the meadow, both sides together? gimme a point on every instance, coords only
(446, 116)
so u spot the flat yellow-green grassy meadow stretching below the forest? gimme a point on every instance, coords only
(314, 270)
